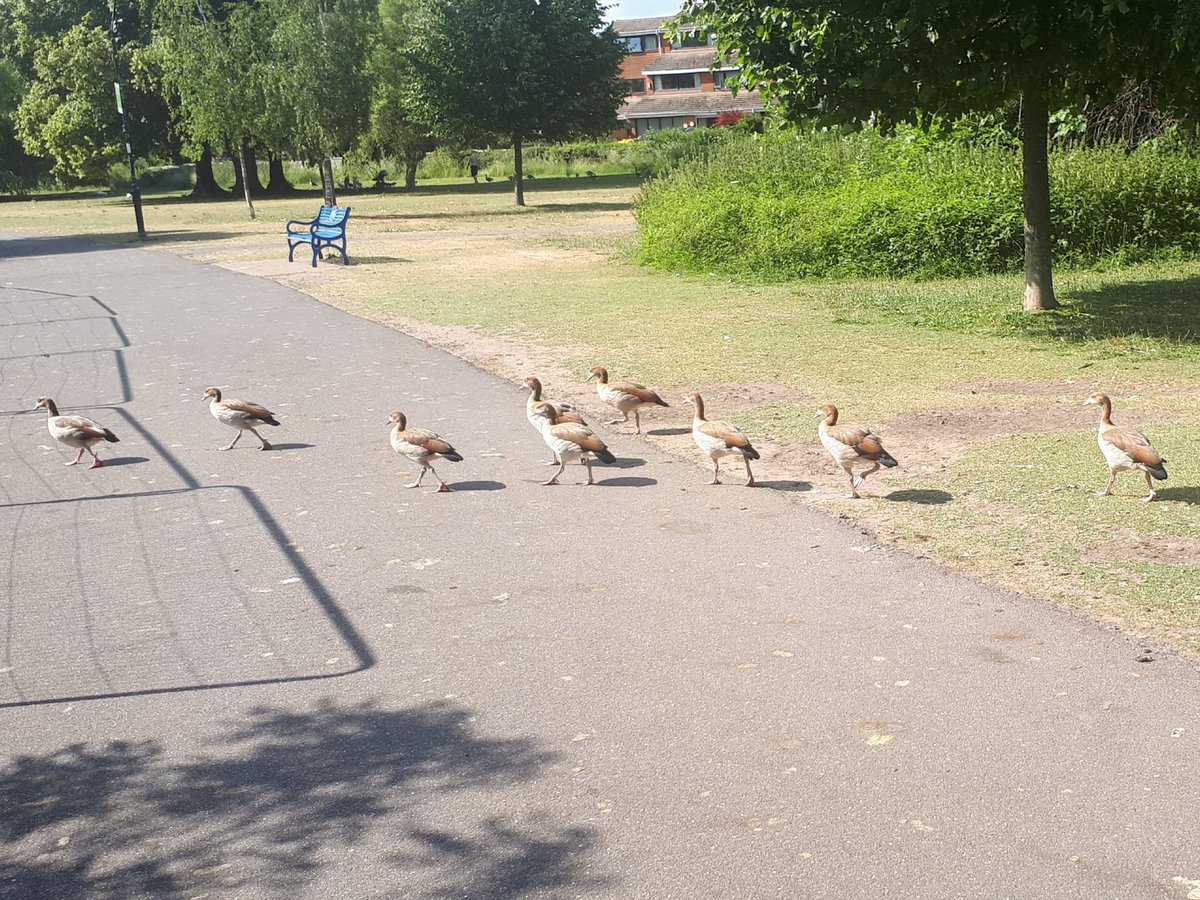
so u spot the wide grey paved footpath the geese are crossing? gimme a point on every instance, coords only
(281, 675)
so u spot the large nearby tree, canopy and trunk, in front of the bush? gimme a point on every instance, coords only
(844, 62)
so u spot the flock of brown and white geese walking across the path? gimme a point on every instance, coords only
(854, 448)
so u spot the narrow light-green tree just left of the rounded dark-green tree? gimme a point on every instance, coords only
(397, 124)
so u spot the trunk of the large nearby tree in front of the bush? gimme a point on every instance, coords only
(1036, 172)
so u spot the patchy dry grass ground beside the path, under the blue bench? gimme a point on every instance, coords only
(982, 405)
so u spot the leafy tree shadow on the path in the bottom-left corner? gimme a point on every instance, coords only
(275, 801)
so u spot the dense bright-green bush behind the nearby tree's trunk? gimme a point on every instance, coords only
(863, 206)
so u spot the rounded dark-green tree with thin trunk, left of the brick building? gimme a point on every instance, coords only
(517, 70)
